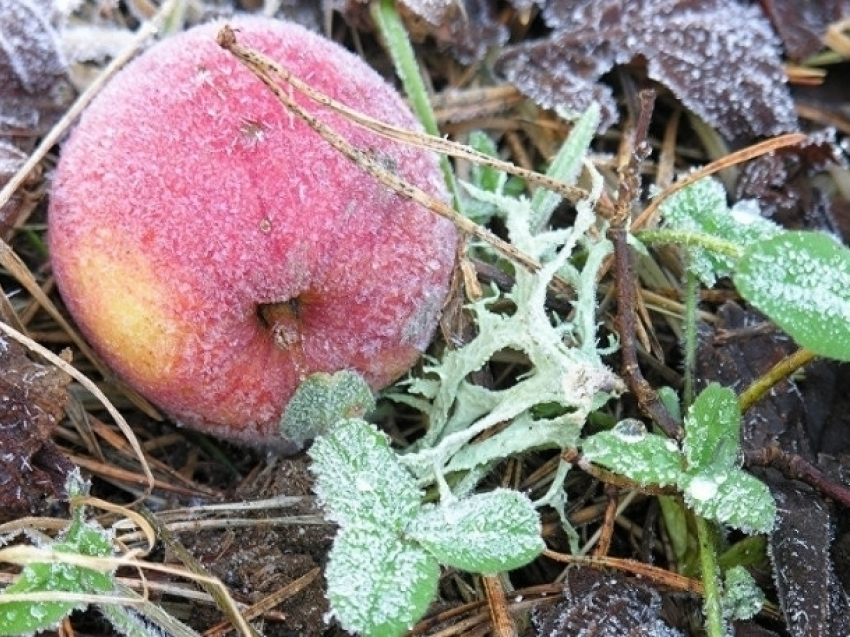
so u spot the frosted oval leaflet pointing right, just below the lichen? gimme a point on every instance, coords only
(483, 533)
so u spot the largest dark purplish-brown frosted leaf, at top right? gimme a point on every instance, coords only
(719, 57)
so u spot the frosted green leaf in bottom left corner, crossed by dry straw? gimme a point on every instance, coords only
(80, 538)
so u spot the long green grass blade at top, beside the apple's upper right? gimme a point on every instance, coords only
(396, 40)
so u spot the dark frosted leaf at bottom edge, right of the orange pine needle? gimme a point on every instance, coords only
(604, 605)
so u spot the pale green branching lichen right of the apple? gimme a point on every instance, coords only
(565, 366)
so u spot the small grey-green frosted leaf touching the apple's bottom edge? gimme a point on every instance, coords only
(322, 400)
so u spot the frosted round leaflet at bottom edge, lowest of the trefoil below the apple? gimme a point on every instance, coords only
(379, 585)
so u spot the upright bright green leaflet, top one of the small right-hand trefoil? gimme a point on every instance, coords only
(712, 431)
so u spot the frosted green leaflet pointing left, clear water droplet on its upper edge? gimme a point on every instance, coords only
(629, 450)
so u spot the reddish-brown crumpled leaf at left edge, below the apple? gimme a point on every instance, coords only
(32, 470)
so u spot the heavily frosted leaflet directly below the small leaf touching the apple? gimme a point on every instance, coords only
(360, 480)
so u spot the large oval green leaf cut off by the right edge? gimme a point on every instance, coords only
(801, 280)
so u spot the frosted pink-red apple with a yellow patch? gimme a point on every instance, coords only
(215, 251)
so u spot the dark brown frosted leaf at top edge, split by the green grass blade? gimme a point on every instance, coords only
(466, 27)
